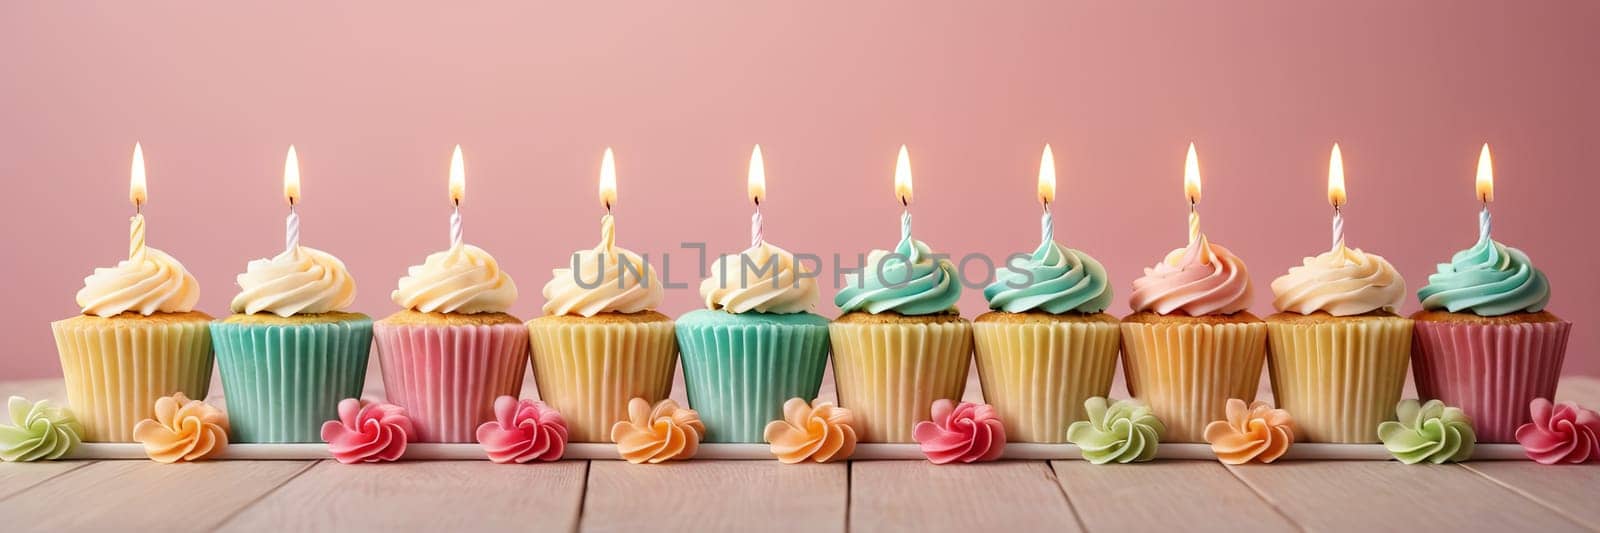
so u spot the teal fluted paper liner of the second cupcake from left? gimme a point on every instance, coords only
(282, 382)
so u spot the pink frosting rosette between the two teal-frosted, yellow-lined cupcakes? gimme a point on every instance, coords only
(961, 433)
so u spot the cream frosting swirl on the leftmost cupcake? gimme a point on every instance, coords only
(148, 283)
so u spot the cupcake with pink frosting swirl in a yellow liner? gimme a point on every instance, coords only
(1191, 345)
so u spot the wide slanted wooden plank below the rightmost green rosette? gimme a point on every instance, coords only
(1393, 497)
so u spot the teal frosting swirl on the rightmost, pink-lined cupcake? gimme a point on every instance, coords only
(1489, 279)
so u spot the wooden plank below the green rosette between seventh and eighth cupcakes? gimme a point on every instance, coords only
(1156, 497)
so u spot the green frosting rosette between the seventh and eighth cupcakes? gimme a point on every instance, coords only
(1124, 433)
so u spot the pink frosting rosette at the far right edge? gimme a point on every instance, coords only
(1561, 433)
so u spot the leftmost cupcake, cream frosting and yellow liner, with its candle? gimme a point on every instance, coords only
(138, 340)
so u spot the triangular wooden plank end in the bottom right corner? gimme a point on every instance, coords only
(1569, 489)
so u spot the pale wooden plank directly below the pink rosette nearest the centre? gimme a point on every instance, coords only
(926, 497)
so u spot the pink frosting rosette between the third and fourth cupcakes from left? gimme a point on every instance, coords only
(524, 431)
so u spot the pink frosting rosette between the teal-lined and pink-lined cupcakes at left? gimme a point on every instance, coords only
(369, 431)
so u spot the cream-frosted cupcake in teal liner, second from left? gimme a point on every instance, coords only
(290, 353)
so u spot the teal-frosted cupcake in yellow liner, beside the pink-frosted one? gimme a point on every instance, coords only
(1047, 345)
